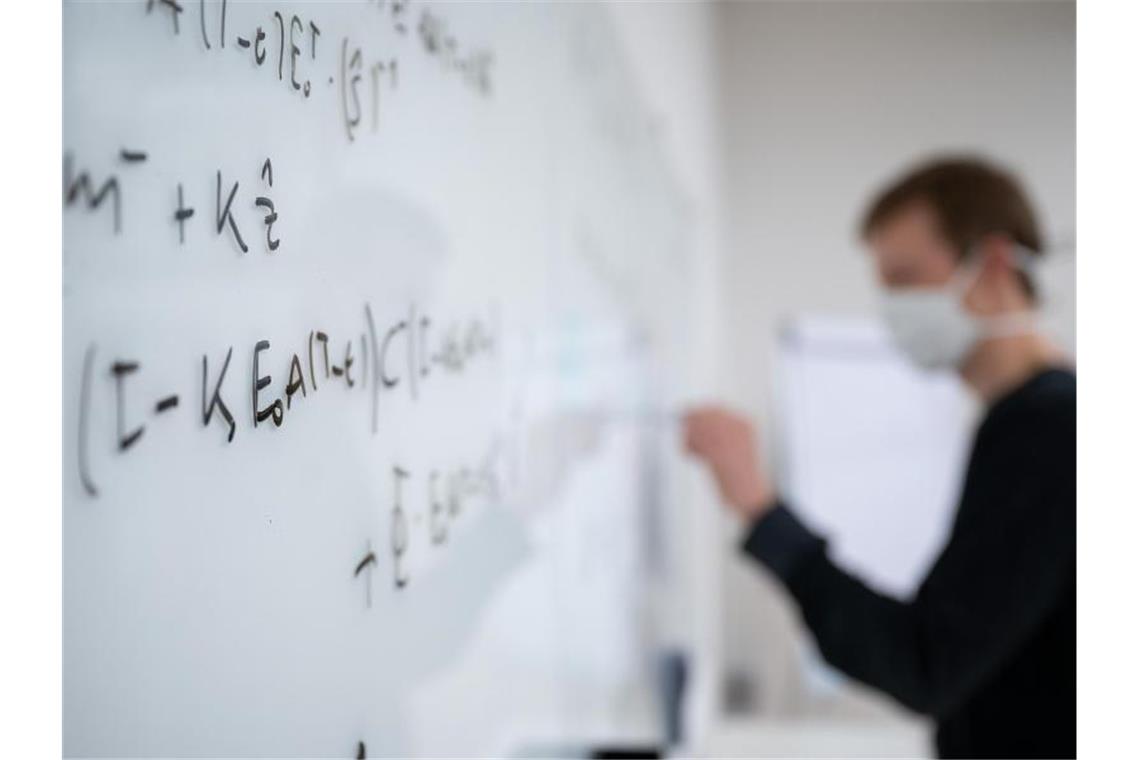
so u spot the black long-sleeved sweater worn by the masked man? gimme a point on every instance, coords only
(988, 647)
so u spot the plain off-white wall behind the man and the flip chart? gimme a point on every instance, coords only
(821, 103)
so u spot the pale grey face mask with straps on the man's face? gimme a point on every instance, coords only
(933, 328)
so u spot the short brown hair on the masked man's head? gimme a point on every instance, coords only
(971, 199)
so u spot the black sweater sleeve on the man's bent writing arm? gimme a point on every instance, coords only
(1011, 558)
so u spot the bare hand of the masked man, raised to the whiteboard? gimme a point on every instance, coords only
(727, 444)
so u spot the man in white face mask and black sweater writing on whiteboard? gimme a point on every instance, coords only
(988, 647)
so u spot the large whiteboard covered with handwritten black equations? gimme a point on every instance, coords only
(355, 295)
